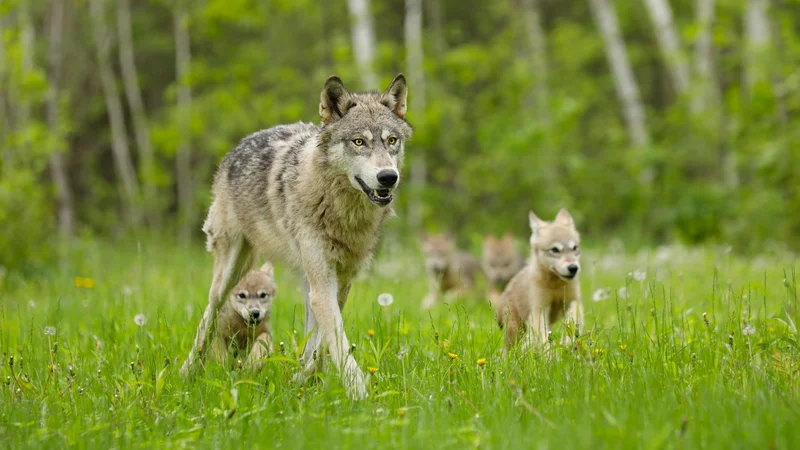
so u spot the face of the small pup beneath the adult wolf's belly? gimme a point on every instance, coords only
(252, 297)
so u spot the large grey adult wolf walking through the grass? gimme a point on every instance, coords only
(316, 198)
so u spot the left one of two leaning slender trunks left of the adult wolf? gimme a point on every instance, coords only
(119, 139)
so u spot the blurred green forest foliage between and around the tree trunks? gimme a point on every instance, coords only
(721, 175)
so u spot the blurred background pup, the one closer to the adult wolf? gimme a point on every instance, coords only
(450, 271)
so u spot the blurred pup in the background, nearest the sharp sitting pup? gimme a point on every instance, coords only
(500, 262)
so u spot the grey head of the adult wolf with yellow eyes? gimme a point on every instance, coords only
(365, 134)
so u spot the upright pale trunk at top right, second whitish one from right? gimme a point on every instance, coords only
(703, 72)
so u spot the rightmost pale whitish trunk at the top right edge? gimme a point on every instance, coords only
(757, 43)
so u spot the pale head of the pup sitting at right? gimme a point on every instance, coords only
(556, 245)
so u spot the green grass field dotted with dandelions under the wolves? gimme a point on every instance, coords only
(650, 372)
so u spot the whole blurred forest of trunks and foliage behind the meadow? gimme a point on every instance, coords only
(652, 120)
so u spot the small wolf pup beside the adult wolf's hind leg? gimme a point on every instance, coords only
(243, 321)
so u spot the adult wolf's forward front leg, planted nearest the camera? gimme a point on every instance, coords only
(325, 305)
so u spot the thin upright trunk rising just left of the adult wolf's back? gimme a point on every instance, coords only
(183, 173)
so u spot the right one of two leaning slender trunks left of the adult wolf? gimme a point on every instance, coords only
(130, 82)
